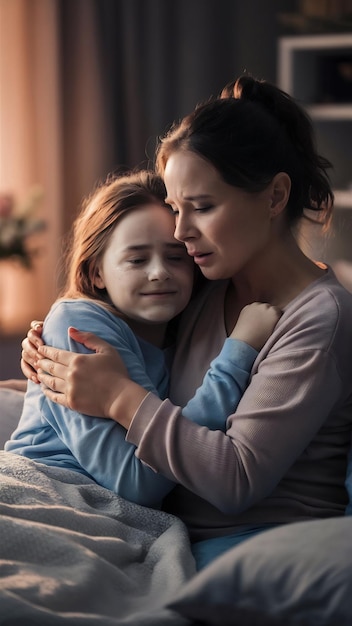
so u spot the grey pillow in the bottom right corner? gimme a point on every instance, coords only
(295, 575)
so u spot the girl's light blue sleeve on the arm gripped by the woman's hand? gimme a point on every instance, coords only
(99, 445)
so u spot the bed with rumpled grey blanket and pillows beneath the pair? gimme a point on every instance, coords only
(75, 553)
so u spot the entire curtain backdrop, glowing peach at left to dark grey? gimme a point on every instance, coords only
(87, 86)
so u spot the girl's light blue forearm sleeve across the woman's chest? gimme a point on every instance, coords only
(223, 386)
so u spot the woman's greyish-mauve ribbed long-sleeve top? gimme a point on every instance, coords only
(283, 456)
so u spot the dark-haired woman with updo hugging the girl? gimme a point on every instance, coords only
(240, 172)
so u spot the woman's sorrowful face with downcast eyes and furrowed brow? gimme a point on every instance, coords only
(225, 228)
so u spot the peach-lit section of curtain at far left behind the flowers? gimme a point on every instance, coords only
(52, 134)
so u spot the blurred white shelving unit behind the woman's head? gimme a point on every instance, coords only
(317, 71)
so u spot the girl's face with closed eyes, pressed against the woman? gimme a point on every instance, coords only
(145, 270)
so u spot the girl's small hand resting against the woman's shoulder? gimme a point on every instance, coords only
(255, 324)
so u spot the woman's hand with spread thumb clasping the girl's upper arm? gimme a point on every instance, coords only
(95, 384)
